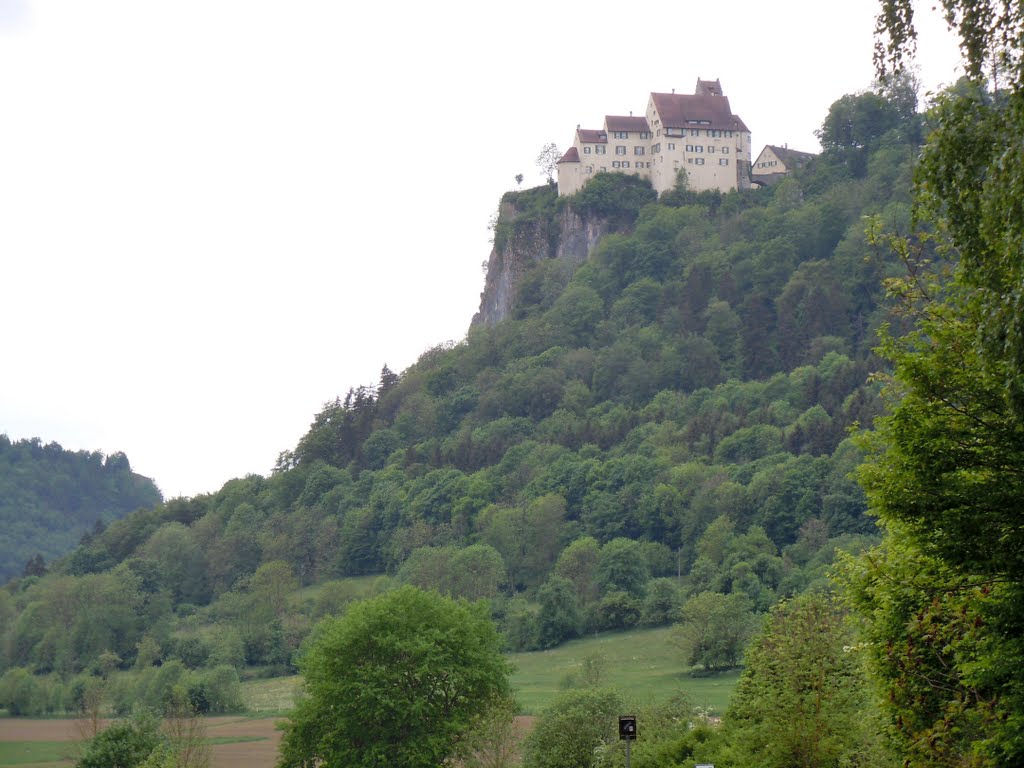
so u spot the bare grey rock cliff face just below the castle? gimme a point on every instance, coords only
(572, 238)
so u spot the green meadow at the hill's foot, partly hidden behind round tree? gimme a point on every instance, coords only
(643, 664)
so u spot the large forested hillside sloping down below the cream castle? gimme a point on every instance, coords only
(662, 432)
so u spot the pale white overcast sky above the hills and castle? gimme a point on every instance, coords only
(216, 216)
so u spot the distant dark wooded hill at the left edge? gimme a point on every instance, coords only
(52, 498)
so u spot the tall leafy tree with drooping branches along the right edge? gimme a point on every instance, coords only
(944, 600)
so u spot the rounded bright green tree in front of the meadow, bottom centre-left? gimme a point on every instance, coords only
(400, 680)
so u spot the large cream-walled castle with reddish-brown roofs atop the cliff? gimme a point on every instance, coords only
(697, 134)
